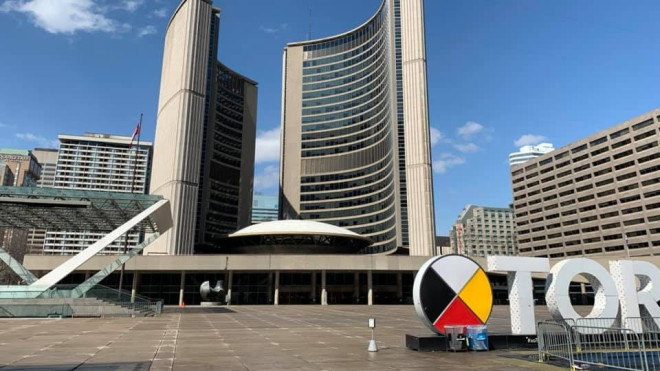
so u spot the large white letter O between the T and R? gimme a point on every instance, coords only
(606, 301)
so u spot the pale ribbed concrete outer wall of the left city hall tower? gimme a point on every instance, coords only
(177, 146)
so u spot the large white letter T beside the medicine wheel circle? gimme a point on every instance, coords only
(521, 290)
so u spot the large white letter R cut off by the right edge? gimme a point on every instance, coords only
(642, 303)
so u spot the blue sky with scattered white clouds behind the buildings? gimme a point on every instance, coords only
(499, 72)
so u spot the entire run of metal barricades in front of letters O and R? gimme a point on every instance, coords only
(609, 347)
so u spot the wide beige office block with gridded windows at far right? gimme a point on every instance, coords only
(598, 195)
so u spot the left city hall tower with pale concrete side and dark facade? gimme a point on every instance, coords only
(205, 135)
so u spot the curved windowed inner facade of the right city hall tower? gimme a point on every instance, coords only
(349, 131)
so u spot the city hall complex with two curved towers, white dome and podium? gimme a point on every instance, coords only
(356, 177)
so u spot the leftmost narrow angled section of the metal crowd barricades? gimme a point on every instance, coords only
(554, 341)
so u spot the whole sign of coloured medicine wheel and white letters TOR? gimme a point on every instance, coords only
(454, 290)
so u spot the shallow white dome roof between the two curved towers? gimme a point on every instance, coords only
(279, 227)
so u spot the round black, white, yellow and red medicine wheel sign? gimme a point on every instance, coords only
(452, 290)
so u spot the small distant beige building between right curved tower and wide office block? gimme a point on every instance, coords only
(483, 230)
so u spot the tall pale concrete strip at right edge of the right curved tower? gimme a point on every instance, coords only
(418, 149)
